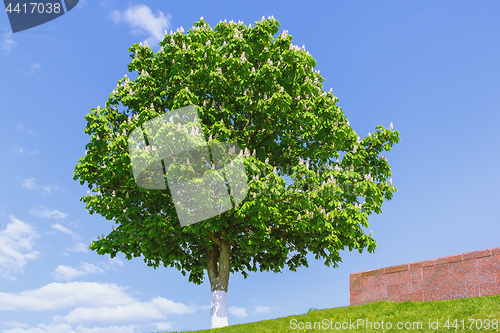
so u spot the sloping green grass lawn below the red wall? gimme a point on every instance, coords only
(482, 308)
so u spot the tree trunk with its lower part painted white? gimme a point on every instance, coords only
(218, 268)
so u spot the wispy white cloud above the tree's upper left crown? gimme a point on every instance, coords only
(141, 19)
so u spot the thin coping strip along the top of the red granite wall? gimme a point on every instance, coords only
(435, 261)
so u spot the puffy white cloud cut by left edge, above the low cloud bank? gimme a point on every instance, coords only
(16, 244)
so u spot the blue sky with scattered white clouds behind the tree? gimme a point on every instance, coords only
(429, 67)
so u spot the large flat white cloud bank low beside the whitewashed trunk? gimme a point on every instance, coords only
(91, 302)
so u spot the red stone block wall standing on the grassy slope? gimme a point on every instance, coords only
(465, 275)
